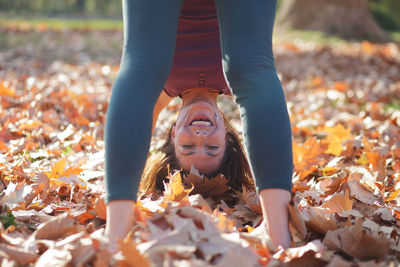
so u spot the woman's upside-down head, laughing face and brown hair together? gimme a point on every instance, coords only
(231, 160)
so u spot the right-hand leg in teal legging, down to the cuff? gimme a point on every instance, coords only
(248, 63)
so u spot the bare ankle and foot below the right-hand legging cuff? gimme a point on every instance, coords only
(274, 204)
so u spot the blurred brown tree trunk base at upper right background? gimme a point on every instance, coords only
(345, 18)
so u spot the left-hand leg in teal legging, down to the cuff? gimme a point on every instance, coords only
(150, 28)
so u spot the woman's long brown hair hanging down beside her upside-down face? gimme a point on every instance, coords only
(234, 164)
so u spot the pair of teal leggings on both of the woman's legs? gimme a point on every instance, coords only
(150, 28)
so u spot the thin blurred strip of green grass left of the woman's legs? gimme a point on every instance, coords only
(61, 23)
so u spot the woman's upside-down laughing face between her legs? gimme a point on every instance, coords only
(199, 136)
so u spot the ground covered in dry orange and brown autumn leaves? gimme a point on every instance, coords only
(344, 103)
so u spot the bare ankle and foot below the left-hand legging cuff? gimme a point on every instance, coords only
(119, 221)
